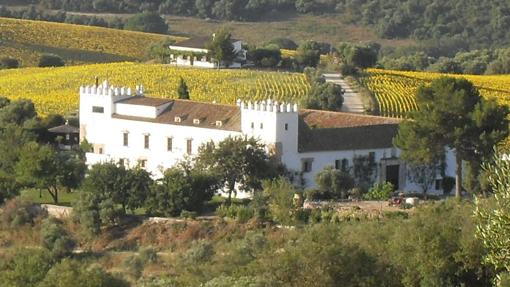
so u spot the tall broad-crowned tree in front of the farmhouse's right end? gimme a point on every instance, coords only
(452, 113)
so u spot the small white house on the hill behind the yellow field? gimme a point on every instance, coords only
(193, 52)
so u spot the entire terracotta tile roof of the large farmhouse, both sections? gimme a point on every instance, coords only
(318, 130)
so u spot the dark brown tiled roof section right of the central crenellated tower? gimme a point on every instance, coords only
(328, 131)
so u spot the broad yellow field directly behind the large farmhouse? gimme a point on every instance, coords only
(55, 90)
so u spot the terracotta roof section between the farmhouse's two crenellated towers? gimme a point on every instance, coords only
(188, 111)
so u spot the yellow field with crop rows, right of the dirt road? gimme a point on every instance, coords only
(395, 90)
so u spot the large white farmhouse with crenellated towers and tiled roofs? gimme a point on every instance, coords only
(126, 127)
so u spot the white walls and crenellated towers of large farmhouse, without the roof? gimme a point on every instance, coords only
(275, 124)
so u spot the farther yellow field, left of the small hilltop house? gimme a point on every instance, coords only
(27, 40)
